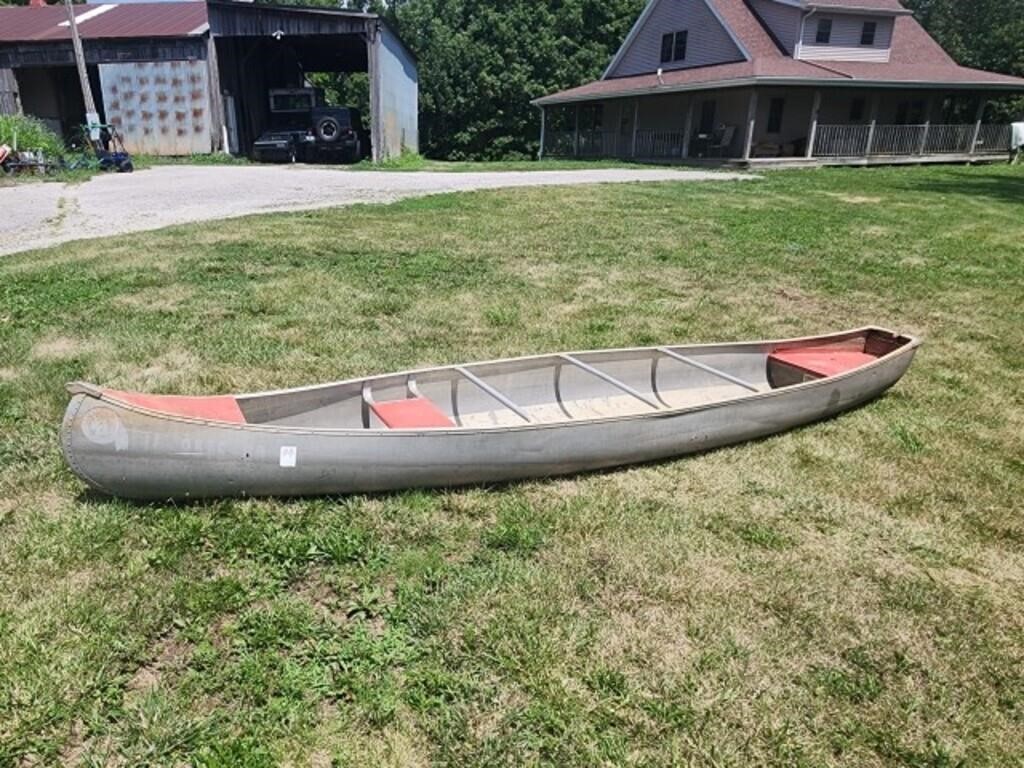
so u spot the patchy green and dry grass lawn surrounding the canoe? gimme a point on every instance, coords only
(845, 594)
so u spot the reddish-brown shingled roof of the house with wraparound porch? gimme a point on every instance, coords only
(916, 60)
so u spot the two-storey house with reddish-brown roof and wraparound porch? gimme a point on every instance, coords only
(780, 81)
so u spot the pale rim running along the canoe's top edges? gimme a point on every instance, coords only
(91, 391)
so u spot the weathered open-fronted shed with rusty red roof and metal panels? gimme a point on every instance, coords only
(185, 78)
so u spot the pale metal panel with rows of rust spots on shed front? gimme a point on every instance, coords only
(160, 108)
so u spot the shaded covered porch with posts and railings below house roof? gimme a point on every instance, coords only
(780, 126)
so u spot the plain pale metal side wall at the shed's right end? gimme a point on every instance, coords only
(397, 84)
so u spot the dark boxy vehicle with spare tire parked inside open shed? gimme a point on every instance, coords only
(304, 129)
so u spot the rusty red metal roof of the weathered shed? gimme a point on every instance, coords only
(29, 24)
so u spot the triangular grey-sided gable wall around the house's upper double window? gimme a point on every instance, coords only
(708, 42)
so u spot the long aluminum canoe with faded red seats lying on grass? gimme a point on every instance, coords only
(481, 423)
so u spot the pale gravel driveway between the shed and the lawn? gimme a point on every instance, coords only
(37, 216)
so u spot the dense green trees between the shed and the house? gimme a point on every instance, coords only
(482, 62)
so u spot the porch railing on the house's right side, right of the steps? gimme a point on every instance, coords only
(908, 141)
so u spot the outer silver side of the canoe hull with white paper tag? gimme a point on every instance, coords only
(140, 455)
